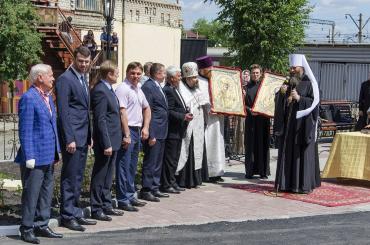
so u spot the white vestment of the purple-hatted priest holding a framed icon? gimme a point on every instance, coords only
(214, 134)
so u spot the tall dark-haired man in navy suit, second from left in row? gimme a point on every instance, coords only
(75, 136)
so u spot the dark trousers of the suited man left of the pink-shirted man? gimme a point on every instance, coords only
(101, 181)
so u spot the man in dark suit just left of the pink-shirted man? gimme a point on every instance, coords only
(107, 136)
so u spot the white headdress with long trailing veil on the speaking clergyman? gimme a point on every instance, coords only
(300, 60)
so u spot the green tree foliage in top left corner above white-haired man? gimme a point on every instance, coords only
(20, 43)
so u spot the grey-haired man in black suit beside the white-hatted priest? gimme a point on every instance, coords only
(177, 124)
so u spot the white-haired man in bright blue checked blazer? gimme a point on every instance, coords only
(37, 154)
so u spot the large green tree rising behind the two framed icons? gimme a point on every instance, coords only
(263, 32)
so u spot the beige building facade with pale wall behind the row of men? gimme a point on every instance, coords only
(148, 30)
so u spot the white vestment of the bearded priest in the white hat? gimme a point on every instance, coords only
(194, 101)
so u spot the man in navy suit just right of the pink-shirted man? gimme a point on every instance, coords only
(154, 146)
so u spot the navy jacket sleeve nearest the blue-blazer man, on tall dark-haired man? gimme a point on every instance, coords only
(63, 89)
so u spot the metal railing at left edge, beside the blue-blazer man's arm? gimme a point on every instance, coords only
(8, 136)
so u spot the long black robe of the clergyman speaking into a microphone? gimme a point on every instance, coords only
(298, 162)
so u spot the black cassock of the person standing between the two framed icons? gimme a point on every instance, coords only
(257, 137)
